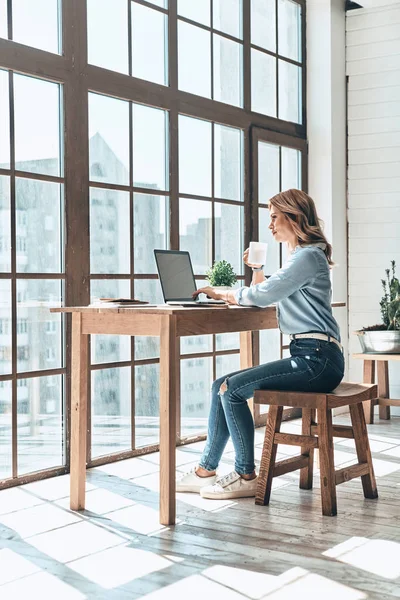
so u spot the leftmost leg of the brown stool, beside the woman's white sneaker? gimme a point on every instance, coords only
(268, 456)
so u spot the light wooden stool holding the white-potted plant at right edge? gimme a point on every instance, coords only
(383, 400)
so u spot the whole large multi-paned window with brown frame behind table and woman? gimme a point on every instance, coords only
(151, 124)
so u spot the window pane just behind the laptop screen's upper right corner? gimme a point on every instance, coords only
(195, 227)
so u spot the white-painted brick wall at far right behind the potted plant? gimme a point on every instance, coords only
(373, 69)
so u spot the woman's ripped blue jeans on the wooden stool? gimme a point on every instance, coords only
(314, 366)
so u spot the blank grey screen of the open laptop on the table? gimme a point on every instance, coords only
(176, 275)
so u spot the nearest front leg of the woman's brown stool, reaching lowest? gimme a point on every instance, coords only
(327, 467)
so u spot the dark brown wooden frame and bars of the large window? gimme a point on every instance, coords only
(78, 78)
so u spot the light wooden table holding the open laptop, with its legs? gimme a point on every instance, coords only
(168, 323)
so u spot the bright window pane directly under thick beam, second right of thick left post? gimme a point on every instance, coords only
(150, 151)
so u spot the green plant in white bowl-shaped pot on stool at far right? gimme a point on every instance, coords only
(385, 338)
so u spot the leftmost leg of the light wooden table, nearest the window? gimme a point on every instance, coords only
(79, 397)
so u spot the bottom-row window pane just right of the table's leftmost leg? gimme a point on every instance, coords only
(111, 411)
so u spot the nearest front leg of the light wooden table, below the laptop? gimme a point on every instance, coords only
(169, 393)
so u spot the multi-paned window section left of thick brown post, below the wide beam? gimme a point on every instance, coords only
(32, 411)
